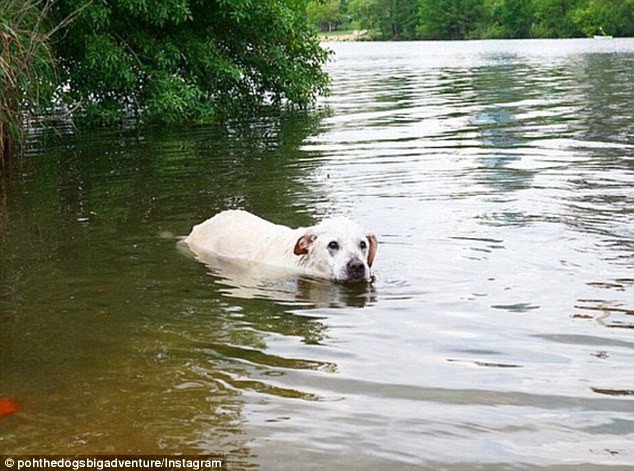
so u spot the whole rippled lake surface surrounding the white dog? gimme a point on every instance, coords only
(499, 179)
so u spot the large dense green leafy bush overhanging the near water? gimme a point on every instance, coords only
(174, 61)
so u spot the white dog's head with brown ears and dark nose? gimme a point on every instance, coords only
(337, 249)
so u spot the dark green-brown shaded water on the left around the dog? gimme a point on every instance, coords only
(110, 321)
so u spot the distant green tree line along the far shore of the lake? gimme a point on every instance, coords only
(475, 19)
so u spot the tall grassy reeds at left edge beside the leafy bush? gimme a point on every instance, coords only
(27, 74)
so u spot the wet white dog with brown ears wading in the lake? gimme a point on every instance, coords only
(336, 249)
